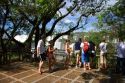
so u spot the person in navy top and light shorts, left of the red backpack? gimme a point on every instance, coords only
(77, 52)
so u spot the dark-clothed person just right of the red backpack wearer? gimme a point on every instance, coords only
(92, 53)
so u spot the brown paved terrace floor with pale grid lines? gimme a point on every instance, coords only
(27, 73)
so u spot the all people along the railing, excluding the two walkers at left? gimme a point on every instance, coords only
(85, 52)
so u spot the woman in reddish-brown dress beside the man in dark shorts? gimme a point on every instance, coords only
(51, 57)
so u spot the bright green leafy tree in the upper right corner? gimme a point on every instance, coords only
(114, 17)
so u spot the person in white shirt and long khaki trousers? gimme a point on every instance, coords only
(103, 54)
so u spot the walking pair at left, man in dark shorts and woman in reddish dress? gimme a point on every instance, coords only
(42, 53)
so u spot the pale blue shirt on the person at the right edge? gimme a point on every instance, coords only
(120, 49)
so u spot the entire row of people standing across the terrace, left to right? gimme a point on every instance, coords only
(85, 52)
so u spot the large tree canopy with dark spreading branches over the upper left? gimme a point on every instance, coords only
(32, 17)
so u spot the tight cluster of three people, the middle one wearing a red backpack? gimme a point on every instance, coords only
(85, 53)
